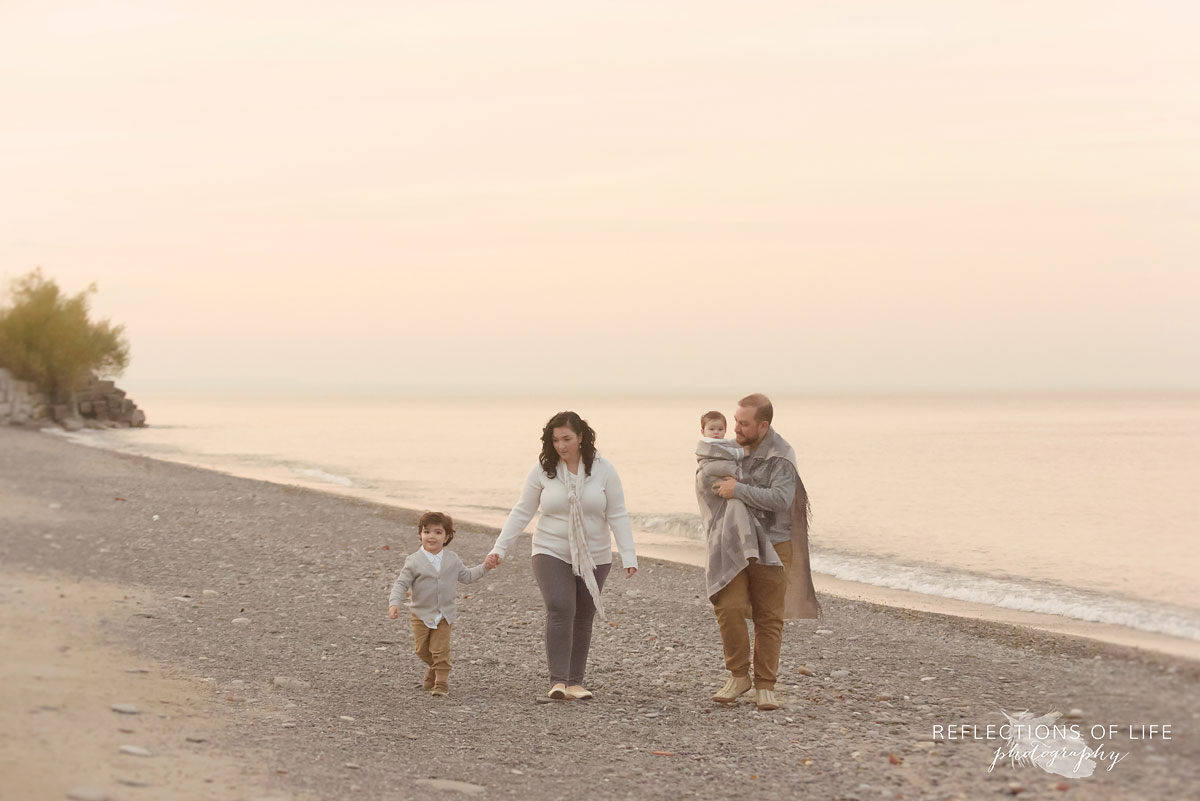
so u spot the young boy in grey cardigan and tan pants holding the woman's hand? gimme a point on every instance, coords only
(434, 574)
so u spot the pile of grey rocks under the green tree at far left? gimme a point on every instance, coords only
(100, 405)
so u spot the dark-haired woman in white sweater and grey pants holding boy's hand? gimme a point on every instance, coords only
(580, 499)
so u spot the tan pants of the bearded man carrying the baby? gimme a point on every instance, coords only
(758, 591)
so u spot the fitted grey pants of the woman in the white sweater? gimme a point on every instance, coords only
(569, 613)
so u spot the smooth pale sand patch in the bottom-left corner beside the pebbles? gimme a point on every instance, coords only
(63, 676)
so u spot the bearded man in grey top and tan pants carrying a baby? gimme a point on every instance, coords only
(775, 493)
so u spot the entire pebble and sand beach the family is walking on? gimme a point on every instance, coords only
(317, 694)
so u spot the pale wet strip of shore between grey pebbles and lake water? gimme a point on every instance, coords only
(692, 555)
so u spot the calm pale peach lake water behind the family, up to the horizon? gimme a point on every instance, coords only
(1078, 507)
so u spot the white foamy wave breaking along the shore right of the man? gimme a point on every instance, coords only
(1011, 594)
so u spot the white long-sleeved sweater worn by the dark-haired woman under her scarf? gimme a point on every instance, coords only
(604, 509)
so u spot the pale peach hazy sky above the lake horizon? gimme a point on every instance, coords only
(673, 196)
